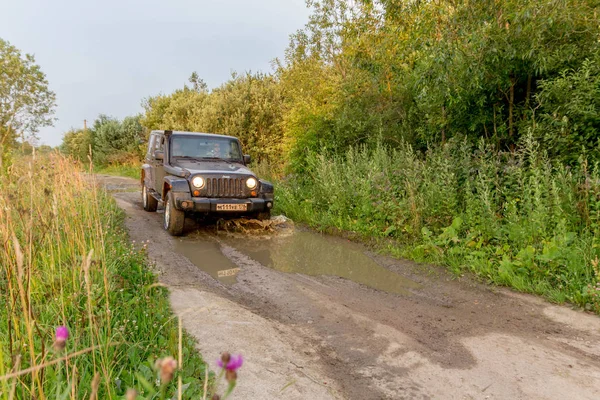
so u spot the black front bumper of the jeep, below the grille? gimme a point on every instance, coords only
(209, 205)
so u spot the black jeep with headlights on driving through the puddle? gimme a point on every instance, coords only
(204, 174)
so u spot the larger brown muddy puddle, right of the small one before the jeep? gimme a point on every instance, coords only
(314, 254)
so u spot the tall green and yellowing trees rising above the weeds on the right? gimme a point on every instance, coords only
(423, 72)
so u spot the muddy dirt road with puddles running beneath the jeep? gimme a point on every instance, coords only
(319, 317)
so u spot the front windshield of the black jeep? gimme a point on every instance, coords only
(205, 147)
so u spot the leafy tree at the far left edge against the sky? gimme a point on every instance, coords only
(26, 102)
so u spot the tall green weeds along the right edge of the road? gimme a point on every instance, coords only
(515, 219)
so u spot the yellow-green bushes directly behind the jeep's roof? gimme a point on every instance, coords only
(248, 106)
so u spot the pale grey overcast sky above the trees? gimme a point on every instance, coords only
(105, 56)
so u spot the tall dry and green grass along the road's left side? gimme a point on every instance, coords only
(66, 261)
